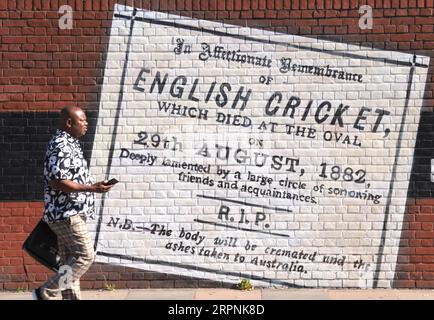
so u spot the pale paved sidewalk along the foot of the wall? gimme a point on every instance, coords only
(231, 294)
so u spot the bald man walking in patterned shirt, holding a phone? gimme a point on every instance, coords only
(69, 200)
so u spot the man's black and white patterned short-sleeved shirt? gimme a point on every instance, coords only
(64, 160)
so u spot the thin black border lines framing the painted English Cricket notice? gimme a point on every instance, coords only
(413, 64)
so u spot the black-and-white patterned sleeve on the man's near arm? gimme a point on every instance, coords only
(59, 164)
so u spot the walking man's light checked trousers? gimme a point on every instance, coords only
(79, 256)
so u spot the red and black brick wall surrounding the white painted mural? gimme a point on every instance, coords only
(43, 68)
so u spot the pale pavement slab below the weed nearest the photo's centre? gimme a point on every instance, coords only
(228, 294)
